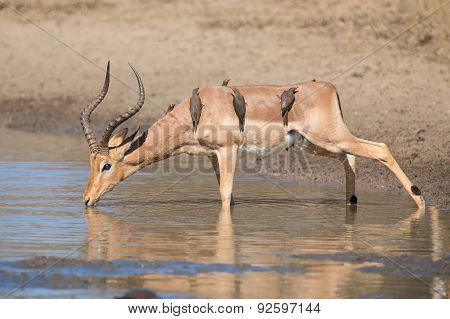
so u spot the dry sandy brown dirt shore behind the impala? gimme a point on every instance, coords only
(399, 95)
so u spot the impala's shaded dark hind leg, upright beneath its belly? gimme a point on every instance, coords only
(349, 163)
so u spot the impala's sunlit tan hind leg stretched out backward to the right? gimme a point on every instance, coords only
(381, 153)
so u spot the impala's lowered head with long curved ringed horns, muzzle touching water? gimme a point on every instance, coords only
(108, 157)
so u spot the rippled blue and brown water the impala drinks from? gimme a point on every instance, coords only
(166, 232)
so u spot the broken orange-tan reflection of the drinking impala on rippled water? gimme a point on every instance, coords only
(170, 241)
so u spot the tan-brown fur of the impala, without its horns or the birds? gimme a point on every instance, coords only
(315, 115)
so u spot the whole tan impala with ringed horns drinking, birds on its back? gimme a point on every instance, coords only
(312, 115)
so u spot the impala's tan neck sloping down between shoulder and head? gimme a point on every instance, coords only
(164, 139)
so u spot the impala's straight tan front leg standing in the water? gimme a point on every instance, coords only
(227, 157)
